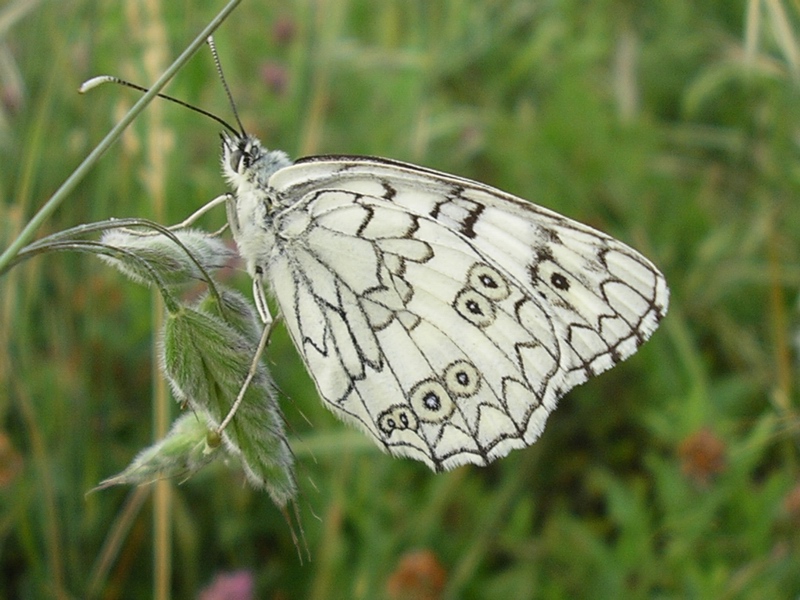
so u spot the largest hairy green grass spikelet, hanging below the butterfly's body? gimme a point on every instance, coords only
(206, 360)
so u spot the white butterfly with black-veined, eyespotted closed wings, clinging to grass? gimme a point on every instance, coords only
(442, 316)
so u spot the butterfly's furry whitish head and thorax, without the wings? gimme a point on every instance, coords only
(247, 166)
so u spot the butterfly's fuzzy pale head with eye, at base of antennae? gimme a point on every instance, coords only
(246, 163)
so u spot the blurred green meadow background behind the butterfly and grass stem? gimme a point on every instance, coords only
(672, 125)
